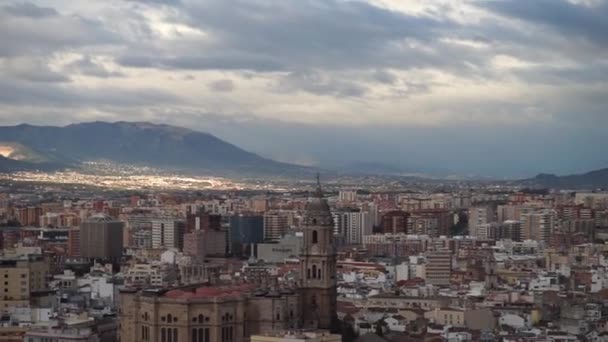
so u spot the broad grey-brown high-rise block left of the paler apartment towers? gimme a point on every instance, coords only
(101, 237)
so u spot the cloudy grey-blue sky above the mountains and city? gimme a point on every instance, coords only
(504, 88)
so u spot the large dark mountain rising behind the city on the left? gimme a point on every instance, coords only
(136, 143)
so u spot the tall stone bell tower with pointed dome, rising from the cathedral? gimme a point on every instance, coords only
(317, 282)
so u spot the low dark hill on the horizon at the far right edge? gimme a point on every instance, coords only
(590, 180)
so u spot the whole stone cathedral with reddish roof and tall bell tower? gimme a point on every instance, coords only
(232, 313)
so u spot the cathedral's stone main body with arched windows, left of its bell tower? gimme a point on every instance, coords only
(208, 314)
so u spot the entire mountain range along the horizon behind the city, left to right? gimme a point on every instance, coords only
(46, 148)
